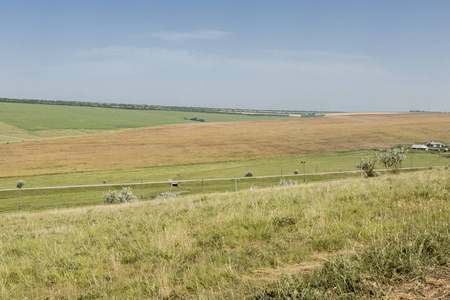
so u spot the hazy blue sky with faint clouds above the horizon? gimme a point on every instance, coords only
(328, 55)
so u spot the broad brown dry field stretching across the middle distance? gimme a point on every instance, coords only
(214, 142)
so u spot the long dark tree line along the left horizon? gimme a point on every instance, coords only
(248, 112)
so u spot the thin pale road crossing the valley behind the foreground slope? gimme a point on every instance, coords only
(194, 180)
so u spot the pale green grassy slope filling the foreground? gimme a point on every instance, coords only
(383, 230)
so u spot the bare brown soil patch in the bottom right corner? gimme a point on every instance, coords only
(434, 286)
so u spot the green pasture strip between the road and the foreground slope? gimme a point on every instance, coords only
(38, 200)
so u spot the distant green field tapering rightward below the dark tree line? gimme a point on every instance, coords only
(19, 121)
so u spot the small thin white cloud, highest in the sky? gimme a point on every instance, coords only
(189, 35)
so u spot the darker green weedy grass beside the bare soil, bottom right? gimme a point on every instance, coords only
(371, 273)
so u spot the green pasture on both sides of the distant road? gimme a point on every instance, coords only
(75, 197)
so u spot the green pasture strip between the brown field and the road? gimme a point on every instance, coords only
(328, 162)
